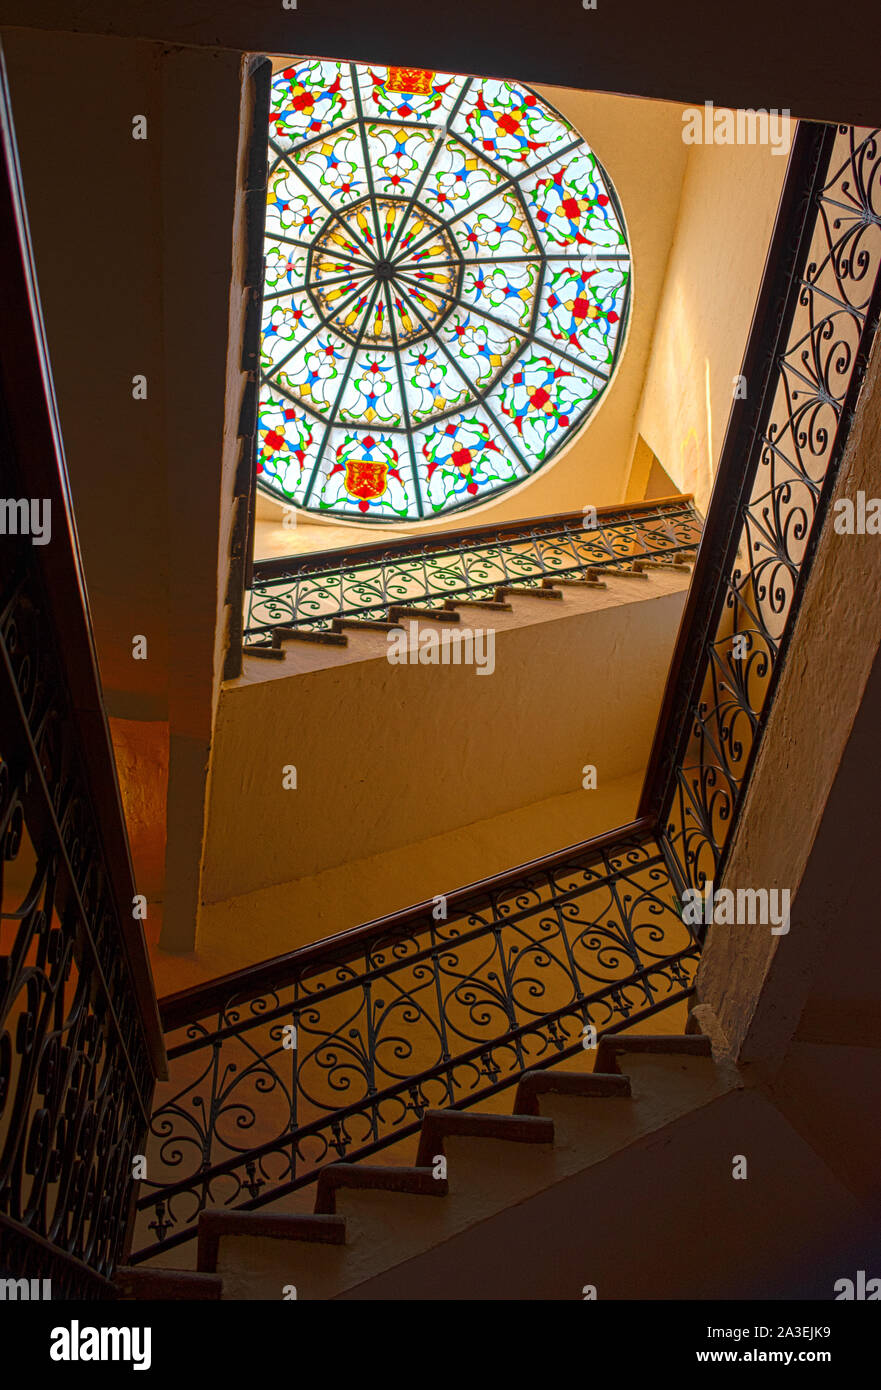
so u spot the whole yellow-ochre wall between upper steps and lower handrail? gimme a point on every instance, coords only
(416, 780)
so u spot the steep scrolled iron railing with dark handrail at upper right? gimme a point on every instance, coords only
(805, 362)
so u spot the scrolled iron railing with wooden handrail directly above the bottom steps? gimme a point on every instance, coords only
(336, 1052)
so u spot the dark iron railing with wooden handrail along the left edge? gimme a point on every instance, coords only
(80, 1036)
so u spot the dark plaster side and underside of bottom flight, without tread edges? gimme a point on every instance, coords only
(789, 1228)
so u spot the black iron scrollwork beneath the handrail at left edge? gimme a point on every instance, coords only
(76, 1075)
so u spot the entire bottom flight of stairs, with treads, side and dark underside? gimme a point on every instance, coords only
(614, 1185)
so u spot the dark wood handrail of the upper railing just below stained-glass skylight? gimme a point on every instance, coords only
(283, 565)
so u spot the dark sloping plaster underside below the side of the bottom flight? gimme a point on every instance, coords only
(791, 1229)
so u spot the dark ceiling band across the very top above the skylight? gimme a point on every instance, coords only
(755, 58)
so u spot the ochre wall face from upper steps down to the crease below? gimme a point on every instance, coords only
(390, 754)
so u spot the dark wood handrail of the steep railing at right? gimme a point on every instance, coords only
(807, 167)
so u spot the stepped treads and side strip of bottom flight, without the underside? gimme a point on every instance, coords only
(373, 1224)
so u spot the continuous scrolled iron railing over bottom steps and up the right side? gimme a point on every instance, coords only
(415, 1011)
